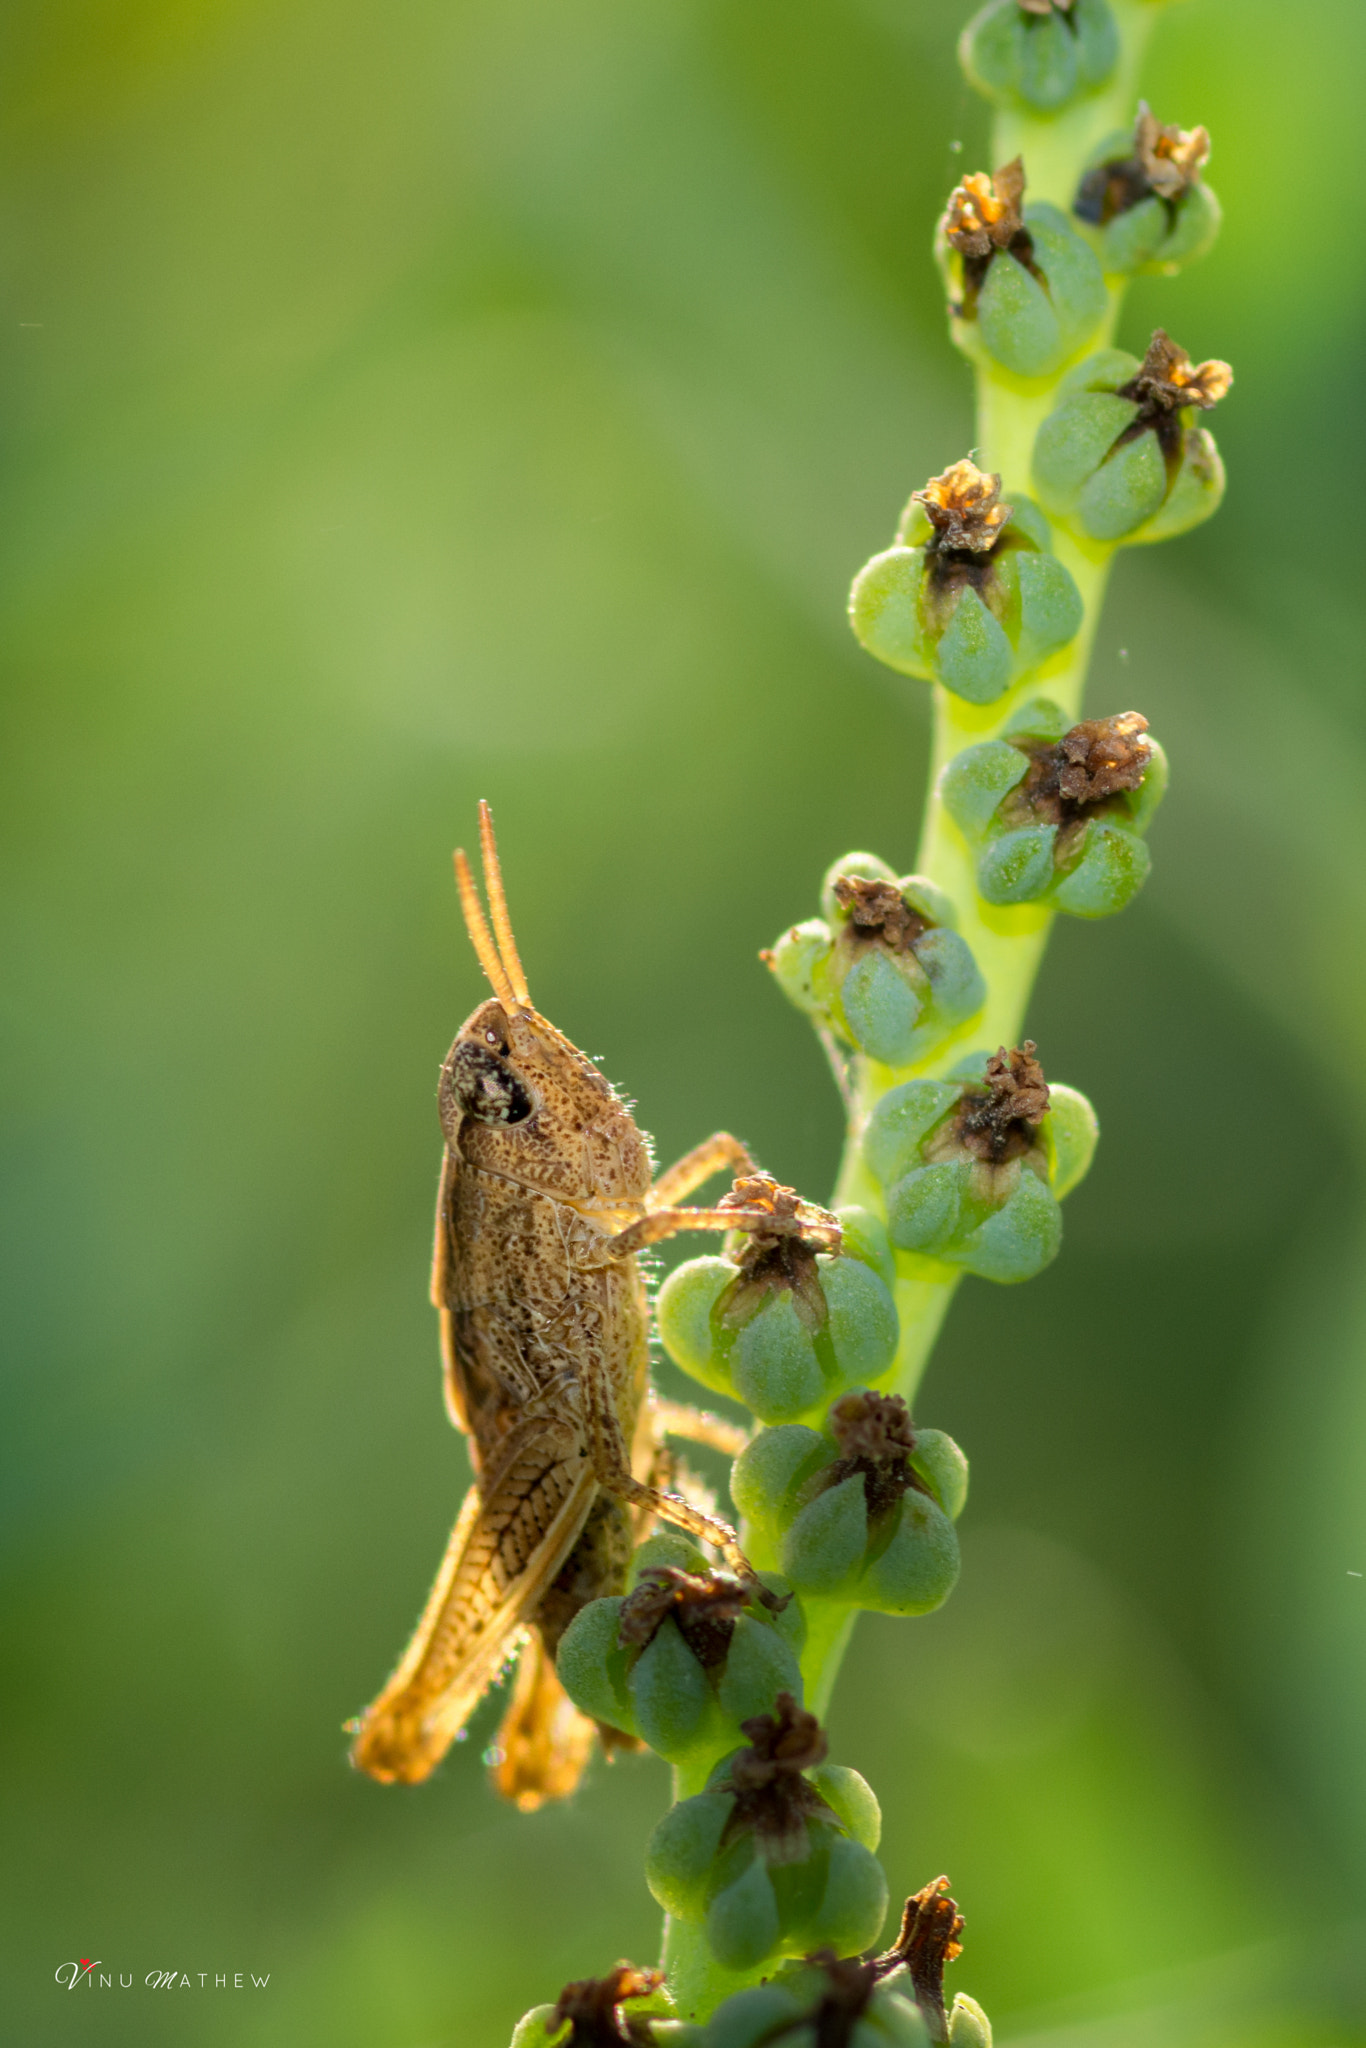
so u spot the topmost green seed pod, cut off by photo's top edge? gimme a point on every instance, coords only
(1039, 54)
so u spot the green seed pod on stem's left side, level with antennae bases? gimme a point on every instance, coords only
(888, 976)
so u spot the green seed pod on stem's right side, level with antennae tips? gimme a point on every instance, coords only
(1060, 816)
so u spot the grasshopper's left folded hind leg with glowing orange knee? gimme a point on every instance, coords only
(511, 1539)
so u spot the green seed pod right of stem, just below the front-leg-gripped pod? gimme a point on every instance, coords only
(863, 1510)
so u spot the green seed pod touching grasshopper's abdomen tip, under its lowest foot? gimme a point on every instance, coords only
(687, 1658)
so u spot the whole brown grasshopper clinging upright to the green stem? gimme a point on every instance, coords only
(546, 1199)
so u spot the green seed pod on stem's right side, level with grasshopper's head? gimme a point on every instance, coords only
(976, 1168)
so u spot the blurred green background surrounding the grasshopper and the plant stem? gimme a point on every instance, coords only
(462, 398)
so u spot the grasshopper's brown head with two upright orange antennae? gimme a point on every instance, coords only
(515, 1097)
